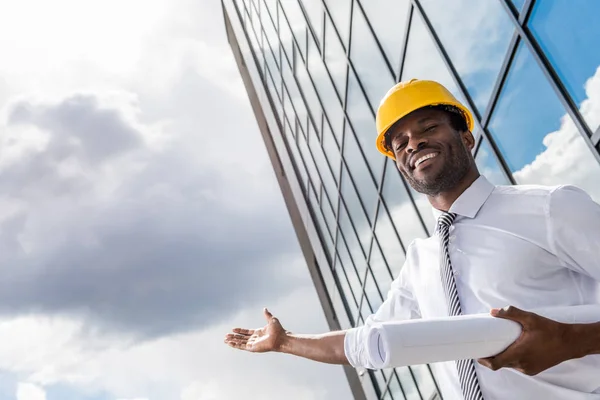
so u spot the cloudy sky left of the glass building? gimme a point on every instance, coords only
(140, 216)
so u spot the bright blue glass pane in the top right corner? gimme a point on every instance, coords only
(569, 34)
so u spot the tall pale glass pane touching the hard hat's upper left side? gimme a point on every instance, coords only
(368, 61)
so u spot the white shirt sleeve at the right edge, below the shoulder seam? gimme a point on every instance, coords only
(574, 230)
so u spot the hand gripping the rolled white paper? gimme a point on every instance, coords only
(543, 343)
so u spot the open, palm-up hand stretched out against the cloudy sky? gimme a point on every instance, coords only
(261, 340)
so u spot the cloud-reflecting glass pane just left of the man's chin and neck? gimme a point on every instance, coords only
(402, 211)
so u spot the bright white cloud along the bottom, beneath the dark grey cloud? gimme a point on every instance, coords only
(191, 366)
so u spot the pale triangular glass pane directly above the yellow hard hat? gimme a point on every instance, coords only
(423, 60)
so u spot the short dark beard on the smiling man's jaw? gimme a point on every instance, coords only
(457, 166)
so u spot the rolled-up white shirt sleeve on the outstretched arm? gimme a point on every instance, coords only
(399, 304)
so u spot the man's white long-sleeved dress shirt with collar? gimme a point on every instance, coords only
(526, 246)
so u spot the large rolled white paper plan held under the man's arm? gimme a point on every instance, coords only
(421, 341)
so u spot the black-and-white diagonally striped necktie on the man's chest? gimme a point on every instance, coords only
(466, 368)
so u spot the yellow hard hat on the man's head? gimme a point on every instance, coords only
(406, 97)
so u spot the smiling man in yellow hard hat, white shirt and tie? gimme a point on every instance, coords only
(517, 247)
